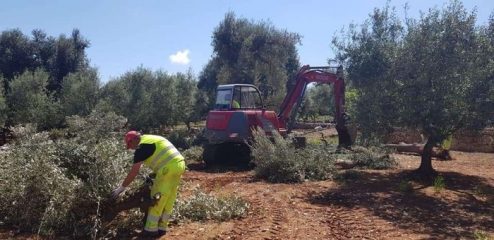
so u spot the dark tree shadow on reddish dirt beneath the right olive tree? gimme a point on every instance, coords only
(454, 212)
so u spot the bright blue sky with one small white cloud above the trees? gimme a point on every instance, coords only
(175, 35)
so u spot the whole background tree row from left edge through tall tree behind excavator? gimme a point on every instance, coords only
(45, 79)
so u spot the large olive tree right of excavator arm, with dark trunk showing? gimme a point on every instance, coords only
(435, 74)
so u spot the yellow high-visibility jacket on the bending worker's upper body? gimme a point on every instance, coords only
(164, 153)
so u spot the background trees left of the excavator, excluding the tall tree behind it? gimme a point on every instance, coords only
(45, 79)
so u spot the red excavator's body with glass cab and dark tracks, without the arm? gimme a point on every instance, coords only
(237, 110)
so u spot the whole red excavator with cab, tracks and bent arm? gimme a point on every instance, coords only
(239, 109)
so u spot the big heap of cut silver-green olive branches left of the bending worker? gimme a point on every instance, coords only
(53, 186)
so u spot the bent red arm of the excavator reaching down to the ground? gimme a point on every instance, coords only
(306, 75)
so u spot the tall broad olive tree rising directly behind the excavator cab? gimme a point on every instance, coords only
(252, 52)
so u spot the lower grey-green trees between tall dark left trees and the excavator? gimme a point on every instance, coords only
(150, 99)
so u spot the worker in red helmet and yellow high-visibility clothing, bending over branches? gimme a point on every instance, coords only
(168, 164)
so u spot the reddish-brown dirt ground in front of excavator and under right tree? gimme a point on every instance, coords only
(369, 206)
